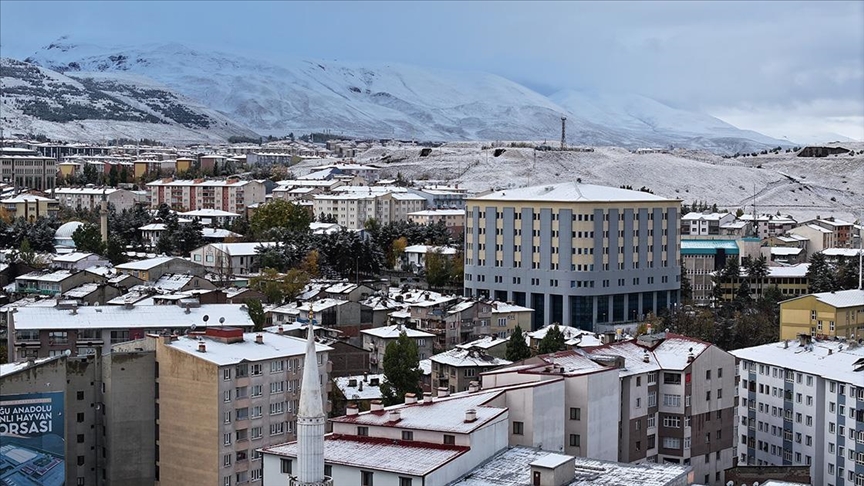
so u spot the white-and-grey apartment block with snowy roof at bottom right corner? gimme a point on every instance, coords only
(801, 402)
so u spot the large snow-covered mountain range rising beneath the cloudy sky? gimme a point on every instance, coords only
(396, 100)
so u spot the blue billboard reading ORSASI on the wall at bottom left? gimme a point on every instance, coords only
(32, 448)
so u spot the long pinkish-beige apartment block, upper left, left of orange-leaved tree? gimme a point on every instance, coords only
(232, 195)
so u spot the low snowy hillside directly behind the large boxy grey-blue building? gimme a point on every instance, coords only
(803, 187)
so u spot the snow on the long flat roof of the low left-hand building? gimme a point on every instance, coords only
(138, 317)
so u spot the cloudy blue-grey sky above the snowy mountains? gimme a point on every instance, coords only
(793, 69)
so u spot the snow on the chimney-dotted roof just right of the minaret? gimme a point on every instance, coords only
(443, 414)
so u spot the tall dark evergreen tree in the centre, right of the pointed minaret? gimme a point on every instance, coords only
(402, 373)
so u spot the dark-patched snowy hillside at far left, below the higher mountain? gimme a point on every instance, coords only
(92, 108)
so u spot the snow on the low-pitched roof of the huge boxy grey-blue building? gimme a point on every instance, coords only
(571, 192)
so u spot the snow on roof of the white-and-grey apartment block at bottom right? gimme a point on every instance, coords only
(832, 360)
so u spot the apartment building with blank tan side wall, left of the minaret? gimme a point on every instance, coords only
(222, 396)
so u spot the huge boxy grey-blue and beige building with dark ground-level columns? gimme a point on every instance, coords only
(578, 254)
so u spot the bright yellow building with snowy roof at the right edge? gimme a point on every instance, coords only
(829, 314)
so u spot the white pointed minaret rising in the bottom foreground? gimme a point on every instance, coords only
(310, 422)
